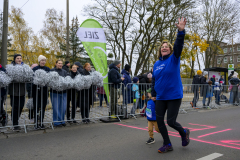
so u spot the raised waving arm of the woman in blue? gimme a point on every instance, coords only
(178, 45)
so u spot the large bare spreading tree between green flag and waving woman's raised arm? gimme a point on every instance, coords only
(134, 27)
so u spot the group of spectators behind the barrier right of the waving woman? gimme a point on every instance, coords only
(208, 87)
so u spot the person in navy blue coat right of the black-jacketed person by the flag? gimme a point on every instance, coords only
(126, 88)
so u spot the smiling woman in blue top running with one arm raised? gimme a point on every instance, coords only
(167, 88)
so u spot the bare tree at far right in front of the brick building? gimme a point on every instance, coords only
(220, 21)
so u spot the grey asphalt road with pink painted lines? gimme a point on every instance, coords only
(215, 134)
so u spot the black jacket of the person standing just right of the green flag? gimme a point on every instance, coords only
(114, 76)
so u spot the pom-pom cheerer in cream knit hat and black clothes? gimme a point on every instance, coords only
(40, 95)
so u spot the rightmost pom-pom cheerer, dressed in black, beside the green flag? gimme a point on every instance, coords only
(86, 96)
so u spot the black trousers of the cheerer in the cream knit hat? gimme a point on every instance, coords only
(40, 96)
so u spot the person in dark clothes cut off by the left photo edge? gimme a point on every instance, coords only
(2, 98)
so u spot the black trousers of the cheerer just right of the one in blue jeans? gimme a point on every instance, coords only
(71, 97)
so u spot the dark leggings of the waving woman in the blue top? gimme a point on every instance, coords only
(173, 107)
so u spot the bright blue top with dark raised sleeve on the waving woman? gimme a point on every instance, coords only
(166, 78)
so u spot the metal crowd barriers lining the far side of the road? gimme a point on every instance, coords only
(57, 108)
